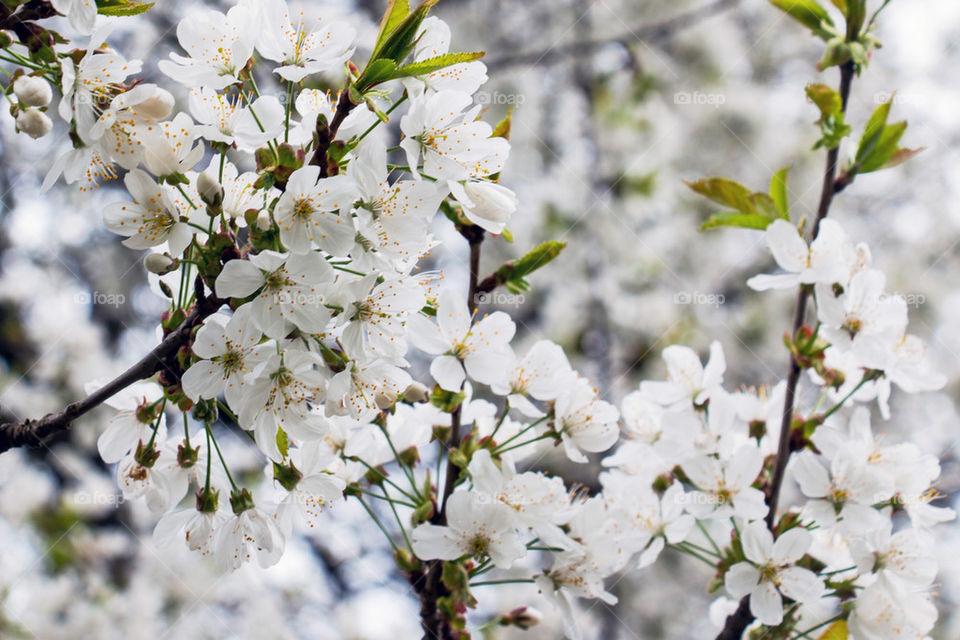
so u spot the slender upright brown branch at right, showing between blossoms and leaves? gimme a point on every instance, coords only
(738, 621)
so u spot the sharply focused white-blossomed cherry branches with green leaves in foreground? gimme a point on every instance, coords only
(286, 229)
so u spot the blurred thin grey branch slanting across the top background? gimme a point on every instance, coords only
(648, 33)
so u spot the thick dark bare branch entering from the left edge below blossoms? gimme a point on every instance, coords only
(33, 433)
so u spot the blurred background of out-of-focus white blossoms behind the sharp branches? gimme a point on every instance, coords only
(615, 104)
